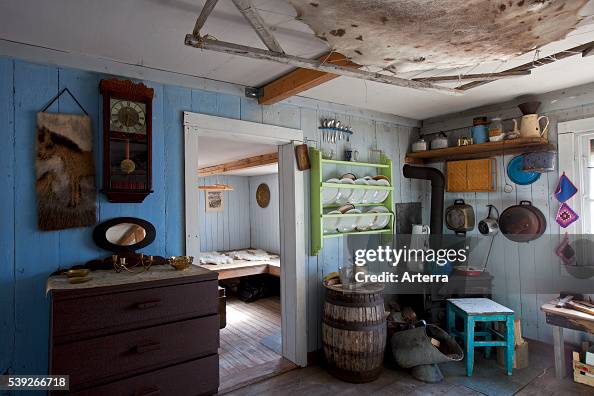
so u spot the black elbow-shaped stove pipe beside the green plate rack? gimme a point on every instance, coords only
(437, 192)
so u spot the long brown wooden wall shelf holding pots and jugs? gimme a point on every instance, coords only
(482, 150)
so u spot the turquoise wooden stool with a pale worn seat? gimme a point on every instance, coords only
(483, 311)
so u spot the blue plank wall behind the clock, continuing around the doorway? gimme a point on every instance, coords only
(28, 256)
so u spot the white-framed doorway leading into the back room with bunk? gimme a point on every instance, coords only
(290, 344)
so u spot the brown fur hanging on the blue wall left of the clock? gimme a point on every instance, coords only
(65, 171)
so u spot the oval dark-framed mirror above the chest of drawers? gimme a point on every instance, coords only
(124, 234)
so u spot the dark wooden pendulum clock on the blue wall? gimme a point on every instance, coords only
(127, 140)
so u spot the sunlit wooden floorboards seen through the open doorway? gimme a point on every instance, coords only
(242, 355)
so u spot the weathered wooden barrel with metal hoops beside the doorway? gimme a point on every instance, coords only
(354, 332)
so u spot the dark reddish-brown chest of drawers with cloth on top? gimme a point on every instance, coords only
(155, 333)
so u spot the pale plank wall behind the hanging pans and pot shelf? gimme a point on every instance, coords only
(527, 276)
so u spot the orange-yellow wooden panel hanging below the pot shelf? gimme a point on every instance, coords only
(472, 175)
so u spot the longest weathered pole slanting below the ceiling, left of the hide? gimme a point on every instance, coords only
(313, 64)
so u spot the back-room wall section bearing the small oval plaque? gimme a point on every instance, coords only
(264, 222)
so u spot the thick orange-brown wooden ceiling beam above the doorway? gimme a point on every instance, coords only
(301, 79)
